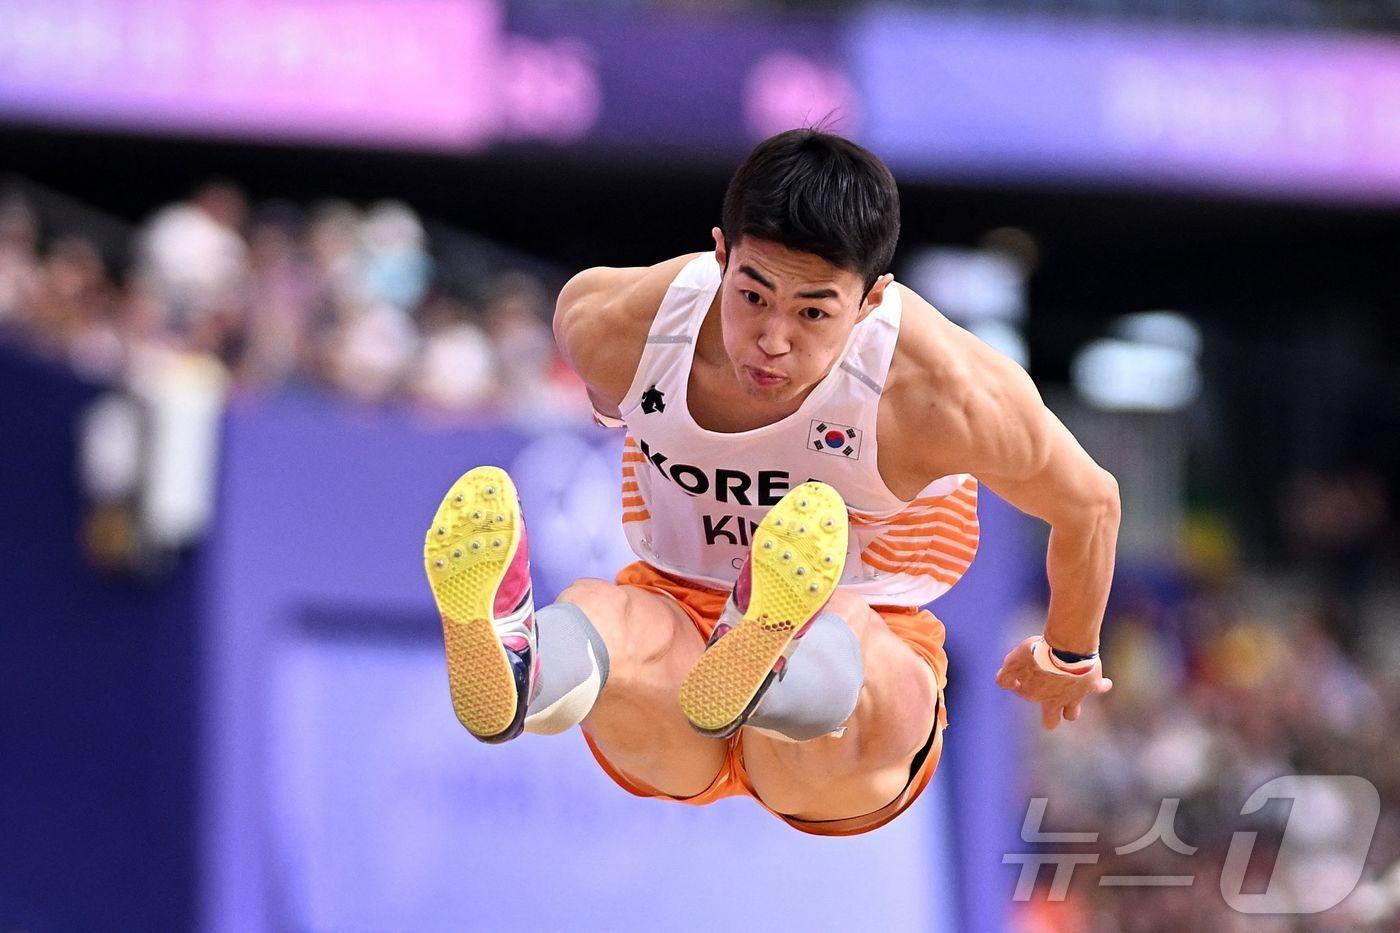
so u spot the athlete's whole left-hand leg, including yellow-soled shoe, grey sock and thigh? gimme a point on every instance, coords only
(605, 656)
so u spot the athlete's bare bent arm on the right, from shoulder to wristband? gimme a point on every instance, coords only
(997, 428)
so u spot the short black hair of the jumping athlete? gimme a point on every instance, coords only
(821, 194)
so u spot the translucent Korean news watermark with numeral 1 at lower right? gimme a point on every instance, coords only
(1331, 816)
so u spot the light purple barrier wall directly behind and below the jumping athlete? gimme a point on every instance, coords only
(341, 791)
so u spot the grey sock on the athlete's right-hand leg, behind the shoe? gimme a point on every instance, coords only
(821, 687)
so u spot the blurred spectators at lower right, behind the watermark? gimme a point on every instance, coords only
(1223, 684)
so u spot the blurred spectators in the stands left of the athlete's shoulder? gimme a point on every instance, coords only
(332, 296)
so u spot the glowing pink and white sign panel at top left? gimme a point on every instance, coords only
(408, 74)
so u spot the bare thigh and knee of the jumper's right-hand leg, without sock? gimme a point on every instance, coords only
(869, 766)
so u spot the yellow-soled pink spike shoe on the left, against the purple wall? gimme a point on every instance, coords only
(479, 571)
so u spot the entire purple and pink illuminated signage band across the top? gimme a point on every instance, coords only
(943, 96)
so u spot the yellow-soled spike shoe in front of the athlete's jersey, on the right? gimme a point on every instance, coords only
(792, 572)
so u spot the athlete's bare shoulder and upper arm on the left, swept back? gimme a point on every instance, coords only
(601, 323)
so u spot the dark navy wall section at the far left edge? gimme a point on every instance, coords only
(99, 689)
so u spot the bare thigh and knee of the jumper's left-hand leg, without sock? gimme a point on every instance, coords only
(638, 722)
